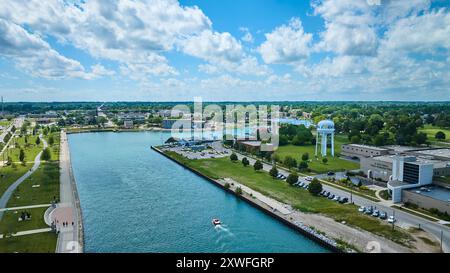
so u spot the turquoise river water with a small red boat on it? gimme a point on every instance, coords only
(135, 200)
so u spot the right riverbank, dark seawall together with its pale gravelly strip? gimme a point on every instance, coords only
(263, 206)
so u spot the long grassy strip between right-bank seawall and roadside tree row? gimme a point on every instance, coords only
(298, 198)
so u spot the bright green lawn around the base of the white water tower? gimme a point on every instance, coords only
(316, 165)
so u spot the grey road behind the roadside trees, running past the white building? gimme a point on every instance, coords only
(403, 218)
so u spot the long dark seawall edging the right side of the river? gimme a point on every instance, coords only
(256, 204)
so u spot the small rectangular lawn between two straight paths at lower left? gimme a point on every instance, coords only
(10, 223)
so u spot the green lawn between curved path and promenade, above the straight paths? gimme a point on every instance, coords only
(47, 177)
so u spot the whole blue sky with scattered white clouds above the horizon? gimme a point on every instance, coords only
(155, 50)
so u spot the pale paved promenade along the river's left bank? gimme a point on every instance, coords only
(70, 240)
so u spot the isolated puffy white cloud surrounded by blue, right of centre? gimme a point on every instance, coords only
(286, 44)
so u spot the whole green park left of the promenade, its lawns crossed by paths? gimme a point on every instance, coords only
(42, 187)
